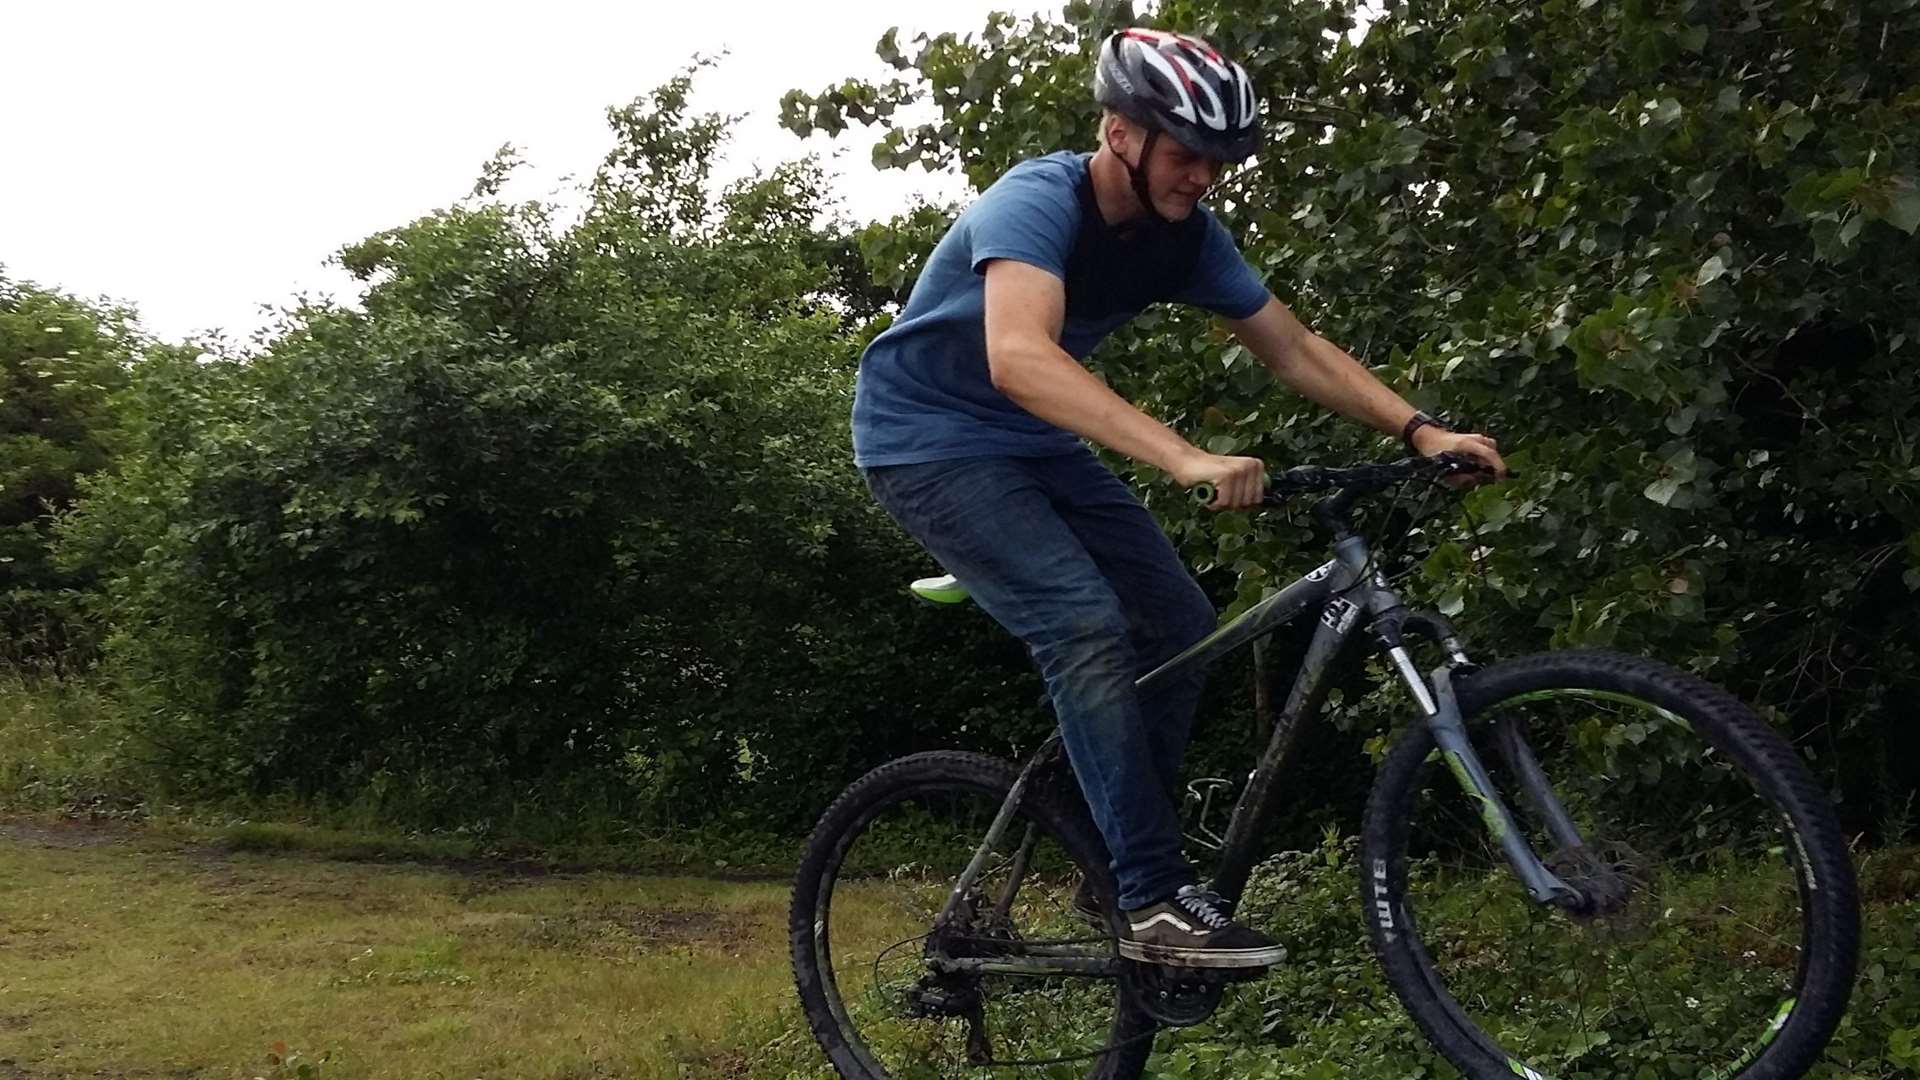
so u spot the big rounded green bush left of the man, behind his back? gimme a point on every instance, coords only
(560, 528)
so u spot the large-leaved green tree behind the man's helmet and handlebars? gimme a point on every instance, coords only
(1662, 249)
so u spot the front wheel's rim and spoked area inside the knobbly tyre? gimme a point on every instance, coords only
(1692, 954)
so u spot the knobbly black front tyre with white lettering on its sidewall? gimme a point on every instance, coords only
(1815, 864)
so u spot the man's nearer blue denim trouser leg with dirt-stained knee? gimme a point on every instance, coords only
(997, 526)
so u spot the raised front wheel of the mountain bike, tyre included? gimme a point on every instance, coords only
(1719, 921)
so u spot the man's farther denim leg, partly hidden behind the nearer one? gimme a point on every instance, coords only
(1166, 608)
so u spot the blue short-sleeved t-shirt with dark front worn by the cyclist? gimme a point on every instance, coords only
(924, 393)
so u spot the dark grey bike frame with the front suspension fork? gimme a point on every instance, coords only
(1353, 599)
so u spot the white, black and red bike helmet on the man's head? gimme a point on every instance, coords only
(1180, 86)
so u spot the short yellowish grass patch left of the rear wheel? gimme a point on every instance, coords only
(128, 954)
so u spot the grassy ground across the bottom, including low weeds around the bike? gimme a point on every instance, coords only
(241, 943)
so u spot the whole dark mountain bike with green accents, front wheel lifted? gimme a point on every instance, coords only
(1573, 866)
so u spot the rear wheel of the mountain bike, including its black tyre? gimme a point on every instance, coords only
(867, 950)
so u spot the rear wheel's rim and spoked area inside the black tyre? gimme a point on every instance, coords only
(888, 881)
